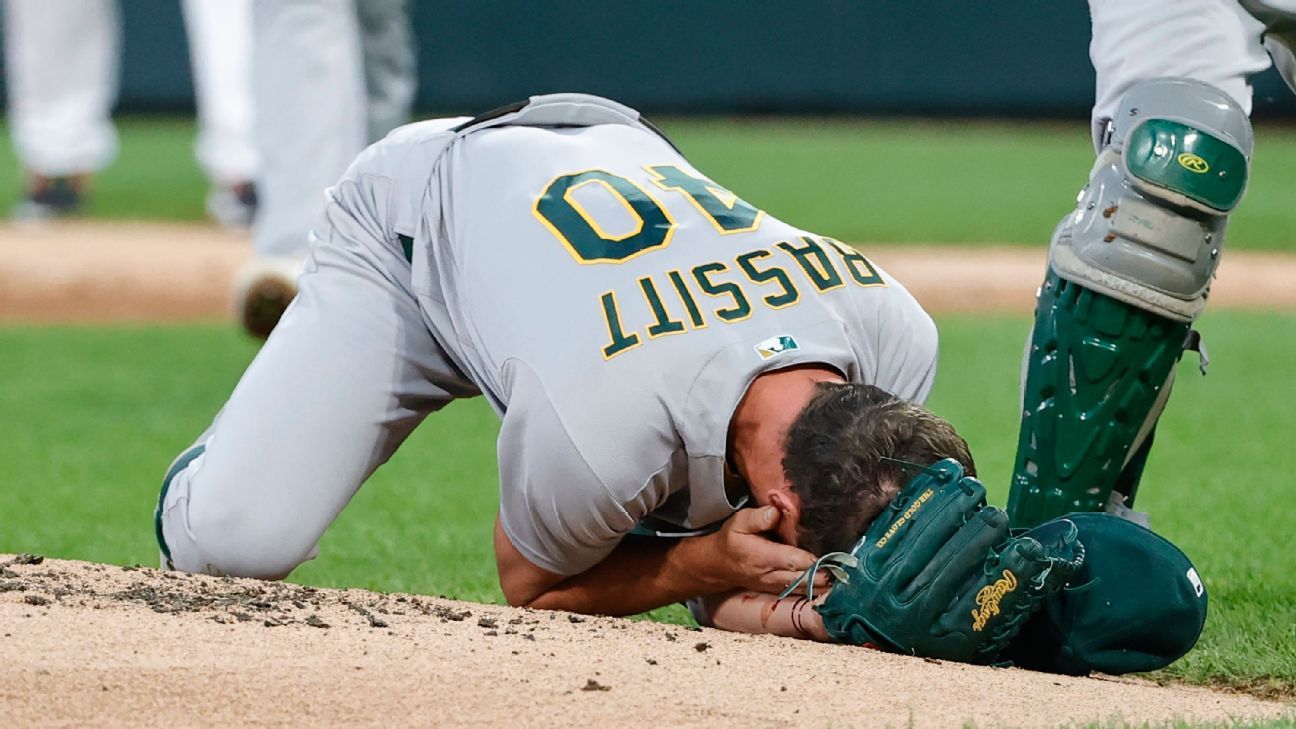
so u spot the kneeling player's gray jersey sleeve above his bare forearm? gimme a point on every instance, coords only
(554, 508)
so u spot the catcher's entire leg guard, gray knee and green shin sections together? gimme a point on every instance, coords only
(1129, 270)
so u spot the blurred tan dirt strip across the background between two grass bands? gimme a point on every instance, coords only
(173, 273)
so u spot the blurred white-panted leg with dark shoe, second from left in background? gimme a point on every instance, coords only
(221, 55)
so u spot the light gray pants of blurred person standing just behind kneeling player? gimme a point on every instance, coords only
(331, 77)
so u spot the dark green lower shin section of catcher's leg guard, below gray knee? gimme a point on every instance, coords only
(1094, 372)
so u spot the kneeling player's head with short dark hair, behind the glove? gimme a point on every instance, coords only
(837, 459)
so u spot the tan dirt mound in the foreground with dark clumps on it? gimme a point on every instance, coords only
(97, 645)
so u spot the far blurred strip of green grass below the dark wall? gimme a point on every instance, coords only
(859, 181)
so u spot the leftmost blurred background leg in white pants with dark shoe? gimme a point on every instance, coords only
(62, 60)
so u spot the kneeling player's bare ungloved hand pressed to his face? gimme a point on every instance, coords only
(742, 556)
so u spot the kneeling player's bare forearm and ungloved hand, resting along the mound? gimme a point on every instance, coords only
(643, 574)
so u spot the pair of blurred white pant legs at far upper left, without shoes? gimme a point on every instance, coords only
(63, 59)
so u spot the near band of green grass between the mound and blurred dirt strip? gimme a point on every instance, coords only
(95, 414)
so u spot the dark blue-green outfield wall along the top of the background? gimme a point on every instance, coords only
(940, 58)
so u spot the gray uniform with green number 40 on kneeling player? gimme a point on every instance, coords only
(567, 263)
